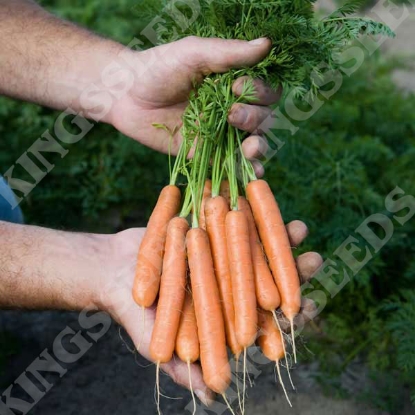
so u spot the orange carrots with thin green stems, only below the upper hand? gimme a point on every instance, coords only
(218, 259)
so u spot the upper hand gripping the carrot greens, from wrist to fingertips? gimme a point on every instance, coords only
(160, 93)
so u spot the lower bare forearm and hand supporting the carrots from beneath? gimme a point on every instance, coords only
(47, 269)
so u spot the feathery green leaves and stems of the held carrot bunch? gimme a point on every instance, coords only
(300, 43)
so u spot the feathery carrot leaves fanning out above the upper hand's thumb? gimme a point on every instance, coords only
(300, 40)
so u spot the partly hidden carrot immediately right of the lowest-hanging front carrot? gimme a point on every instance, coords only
(216, 210)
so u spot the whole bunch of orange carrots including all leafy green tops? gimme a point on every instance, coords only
(218, 257)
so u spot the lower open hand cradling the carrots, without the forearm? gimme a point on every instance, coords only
(116, 298)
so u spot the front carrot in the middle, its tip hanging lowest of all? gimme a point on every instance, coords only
(211, 328)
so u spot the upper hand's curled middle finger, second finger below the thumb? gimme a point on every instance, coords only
(248, 117)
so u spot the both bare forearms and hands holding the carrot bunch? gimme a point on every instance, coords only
(51, 62)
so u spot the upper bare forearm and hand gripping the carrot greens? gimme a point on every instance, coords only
(56, 62)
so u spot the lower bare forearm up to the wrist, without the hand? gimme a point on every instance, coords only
(47, 269)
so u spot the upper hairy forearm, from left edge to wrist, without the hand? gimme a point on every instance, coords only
(47, 60)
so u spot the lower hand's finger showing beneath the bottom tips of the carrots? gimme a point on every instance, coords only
(179, 372)
